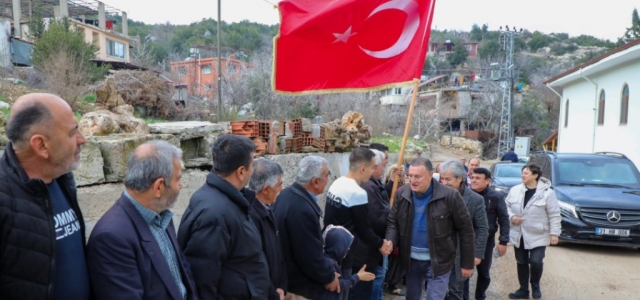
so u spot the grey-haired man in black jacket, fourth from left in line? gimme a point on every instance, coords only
(266, 182)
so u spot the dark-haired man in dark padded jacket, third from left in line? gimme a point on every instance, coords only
(219, 239)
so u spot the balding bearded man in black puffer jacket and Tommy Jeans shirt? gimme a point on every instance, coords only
(42, 233)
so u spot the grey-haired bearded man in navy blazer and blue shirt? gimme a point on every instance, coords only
(132, 251)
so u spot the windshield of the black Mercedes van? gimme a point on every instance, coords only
(603, 172)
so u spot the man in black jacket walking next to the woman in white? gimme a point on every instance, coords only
(496, 214)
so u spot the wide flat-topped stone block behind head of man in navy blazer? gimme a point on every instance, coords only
(116, 149)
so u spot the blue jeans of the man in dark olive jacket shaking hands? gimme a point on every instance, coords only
(421, 271)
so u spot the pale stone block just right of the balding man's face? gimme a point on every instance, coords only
(91, 170)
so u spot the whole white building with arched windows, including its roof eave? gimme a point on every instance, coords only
(600, 104)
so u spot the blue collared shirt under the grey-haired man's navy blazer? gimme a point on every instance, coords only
(158, 225)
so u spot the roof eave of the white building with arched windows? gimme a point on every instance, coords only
(622, 54)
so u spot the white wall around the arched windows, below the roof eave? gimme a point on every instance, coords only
(579, 137)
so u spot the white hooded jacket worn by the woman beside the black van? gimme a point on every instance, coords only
(540, 218)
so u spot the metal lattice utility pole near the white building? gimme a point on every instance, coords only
(506, 134)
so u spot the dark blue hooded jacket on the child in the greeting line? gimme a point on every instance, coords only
(337, 241)
